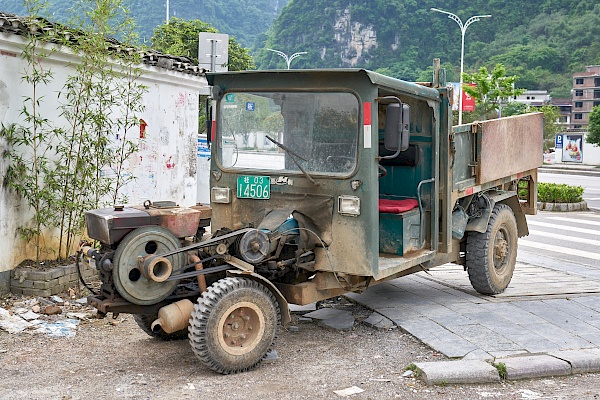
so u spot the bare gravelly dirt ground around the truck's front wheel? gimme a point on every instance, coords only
(114, 359)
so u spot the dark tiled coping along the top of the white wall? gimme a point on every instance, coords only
(21, 26)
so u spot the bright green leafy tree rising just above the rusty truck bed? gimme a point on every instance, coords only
(492, 88)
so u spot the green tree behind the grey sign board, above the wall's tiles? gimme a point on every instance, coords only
(180, 38)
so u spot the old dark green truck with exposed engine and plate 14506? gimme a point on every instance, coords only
(322, 182)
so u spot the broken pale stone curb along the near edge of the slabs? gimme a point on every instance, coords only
(559, 363)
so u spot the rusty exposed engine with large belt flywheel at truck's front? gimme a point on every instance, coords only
(154, 255)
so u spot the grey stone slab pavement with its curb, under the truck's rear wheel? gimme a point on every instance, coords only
(543, 313)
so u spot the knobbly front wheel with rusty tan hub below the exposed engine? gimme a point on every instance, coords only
(234, 325)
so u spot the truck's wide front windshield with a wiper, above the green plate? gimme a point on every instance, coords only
(289, 132)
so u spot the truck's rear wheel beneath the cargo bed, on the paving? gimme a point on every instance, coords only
(491, 256)
